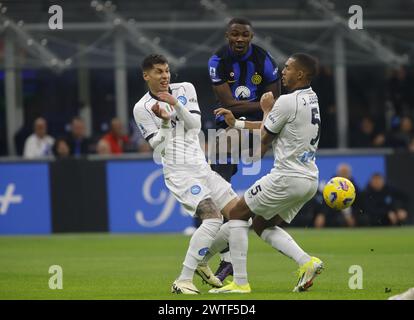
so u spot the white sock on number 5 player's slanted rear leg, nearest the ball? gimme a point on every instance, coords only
(282, 241)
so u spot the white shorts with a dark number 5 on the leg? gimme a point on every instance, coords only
(279, 195)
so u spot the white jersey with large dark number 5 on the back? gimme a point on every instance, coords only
(295, 120)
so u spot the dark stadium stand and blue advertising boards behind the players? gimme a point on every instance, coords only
(90, 69)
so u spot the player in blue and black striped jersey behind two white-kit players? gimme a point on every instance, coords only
(240, 73)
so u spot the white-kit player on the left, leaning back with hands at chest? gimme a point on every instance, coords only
(169, 118)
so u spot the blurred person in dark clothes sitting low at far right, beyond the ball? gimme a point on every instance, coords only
(382, 204)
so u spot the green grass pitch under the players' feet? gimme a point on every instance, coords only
(108, 266)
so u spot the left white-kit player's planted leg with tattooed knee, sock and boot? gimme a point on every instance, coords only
(199, 244)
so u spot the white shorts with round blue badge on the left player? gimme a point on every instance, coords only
(189, 188)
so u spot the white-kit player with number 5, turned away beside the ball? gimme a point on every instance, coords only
(292, 125)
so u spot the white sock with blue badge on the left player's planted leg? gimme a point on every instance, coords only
(199, 244)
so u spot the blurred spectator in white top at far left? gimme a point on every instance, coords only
(38, 144)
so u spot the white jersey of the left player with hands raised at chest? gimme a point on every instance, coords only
(182, 151)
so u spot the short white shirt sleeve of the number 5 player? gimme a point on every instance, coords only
(279, 115)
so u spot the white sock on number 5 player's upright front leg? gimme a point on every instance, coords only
(239, 242)
